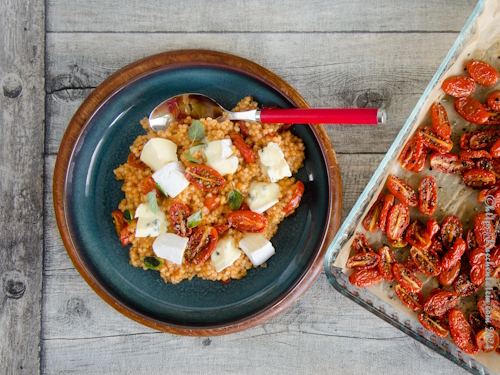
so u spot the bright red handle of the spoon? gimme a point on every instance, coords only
(367, 116)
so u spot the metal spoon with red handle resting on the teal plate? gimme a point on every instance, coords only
(200, 106)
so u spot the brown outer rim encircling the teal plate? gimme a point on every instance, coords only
(191, 58)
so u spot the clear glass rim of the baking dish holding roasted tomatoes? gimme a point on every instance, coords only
(365, 297)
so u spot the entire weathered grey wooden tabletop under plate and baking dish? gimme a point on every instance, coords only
(335, 53)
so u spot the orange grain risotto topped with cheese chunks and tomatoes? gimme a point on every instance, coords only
(203, 198)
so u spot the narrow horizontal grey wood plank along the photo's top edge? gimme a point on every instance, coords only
(257, 16)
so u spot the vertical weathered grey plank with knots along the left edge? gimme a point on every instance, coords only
(21, 185)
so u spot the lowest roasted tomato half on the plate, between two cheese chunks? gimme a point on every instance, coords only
(201, 245)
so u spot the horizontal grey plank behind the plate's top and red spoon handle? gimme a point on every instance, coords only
(344, 70)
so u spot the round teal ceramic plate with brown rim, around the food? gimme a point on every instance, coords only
(86, 192)
